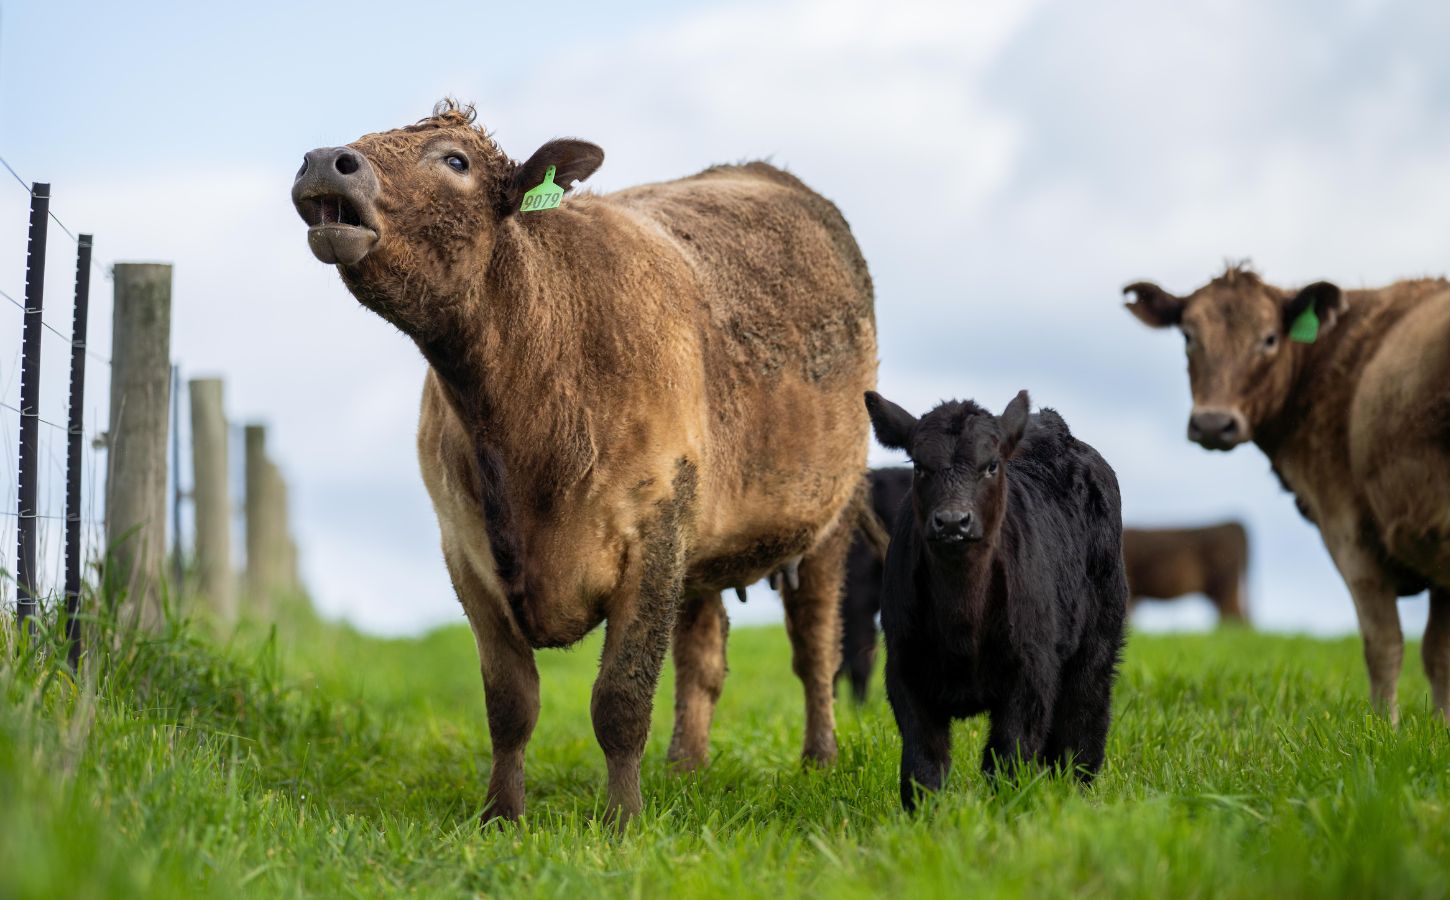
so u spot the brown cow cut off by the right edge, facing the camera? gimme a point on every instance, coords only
(1355, 417)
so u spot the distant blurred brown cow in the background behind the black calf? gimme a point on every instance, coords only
(1168, 563)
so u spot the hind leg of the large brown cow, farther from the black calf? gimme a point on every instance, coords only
(700, 675)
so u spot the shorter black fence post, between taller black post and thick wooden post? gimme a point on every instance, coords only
(76, 444)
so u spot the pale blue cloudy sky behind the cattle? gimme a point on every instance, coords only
(1007, 169)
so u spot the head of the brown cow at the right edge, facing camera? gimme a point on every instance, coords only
(1236, 334)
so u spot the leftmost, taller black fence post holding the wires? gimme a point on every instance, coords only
(31, 404)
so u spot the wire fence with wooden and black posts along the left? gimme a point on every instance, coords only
(96, 489)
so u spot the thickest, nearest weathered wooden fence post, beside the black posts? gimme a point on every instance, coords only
(140, 401)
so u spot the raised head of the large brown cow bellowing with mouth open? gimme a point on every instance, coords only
(411, 217)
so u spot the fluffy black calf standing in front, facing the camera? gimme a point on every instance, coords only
(1004, 589)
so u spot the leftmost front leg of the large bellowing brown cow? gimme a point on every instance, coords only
(511, 689)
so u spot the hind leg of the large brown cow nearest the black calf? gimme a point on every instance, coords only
(814, 624)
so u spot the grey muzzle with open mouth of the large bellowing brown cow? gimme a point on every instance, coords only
(336, 193)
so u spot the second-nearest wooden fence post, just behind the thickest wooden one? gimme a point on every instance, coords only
(211, 498)
